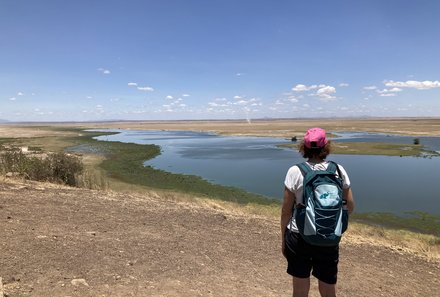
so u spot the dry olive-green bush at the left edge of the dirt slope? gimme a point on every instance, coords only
(56, 167)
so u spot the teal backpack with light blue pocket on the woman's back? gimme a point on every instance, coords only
(321, 219)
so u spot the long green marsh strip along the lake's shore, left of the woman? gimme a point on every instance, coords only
(124, 162)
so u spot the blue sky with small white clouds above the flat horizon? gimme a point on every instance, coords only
(222, 59)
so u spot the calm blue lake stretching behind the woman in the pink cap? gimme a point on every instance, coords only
(256, 164)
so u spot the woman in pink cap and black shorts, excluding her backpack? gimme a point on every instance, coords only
(302, 257)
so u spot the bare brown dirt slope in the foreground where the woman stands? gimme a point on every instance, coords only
(60, 241)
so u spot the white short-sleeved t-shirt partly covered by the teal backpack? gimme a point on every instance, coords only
(294, 182)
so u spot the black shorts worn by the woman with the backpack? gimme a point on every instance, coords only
(303, 258)
